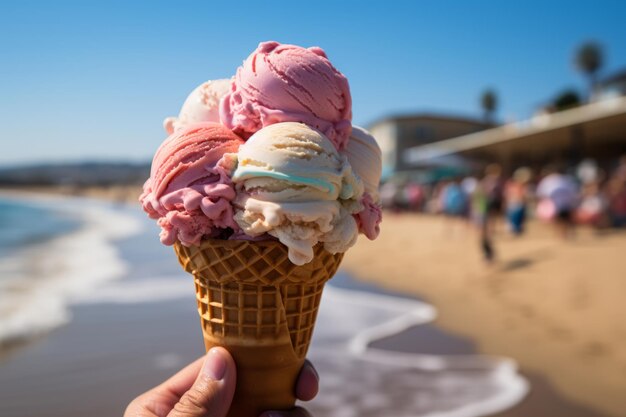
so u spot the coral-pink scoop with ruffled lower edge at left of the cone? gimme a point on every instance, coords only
(189, 191)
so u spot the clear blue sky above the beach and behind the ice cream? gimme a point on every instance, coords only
(94, 80)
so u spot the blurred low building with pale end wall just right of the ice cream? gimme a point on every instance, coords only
(397, 134)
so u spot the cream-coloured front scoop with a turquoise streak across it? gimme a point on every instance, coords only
(294, 185)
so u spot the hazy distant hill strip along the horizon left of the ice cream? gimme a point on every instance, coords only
(80, 174)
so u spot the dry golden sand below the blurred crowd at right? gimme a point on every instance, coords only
(554, 306)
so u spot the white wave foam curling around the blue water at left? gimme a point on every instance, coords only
(40, 281)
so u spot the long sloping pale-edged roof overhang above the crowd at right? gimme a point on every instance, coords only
(595, 130)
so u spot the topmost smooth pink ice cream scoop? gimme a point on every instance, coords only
(288, 83)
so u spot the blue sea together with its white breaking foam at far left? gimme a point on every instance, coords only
(52, 250)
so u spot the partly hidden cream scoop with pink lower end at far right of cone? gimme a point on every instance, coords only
(365, 158)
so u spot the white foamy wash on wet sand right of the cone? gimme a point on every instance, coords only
(367, 381)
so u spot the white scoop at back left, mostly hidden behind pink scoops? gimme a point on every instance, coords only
(202, 105)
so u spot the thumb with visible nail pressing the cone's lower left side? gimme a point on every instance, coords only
(212, 392)
